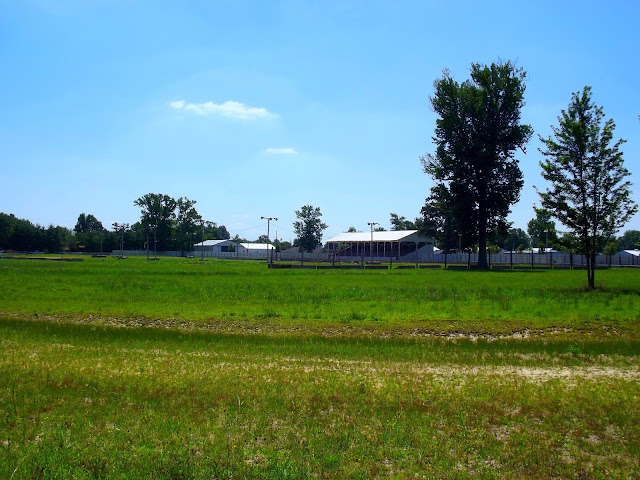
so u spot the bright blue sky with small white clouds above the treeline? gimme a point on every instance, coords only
(256, 108)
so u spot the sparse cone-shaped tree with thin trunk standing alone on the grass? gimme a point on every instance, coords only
(588, 192)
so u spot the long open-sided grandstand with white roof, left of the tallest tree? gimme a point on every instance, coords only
(395, 243)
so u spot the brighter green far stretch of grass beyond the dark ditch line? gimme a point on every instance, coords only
(242, 295)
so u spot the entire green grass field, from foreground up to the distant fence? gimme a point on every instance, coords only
(184, 369)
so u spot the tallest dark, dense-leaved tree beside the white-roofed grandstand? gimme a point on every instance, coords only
(476, 173)
